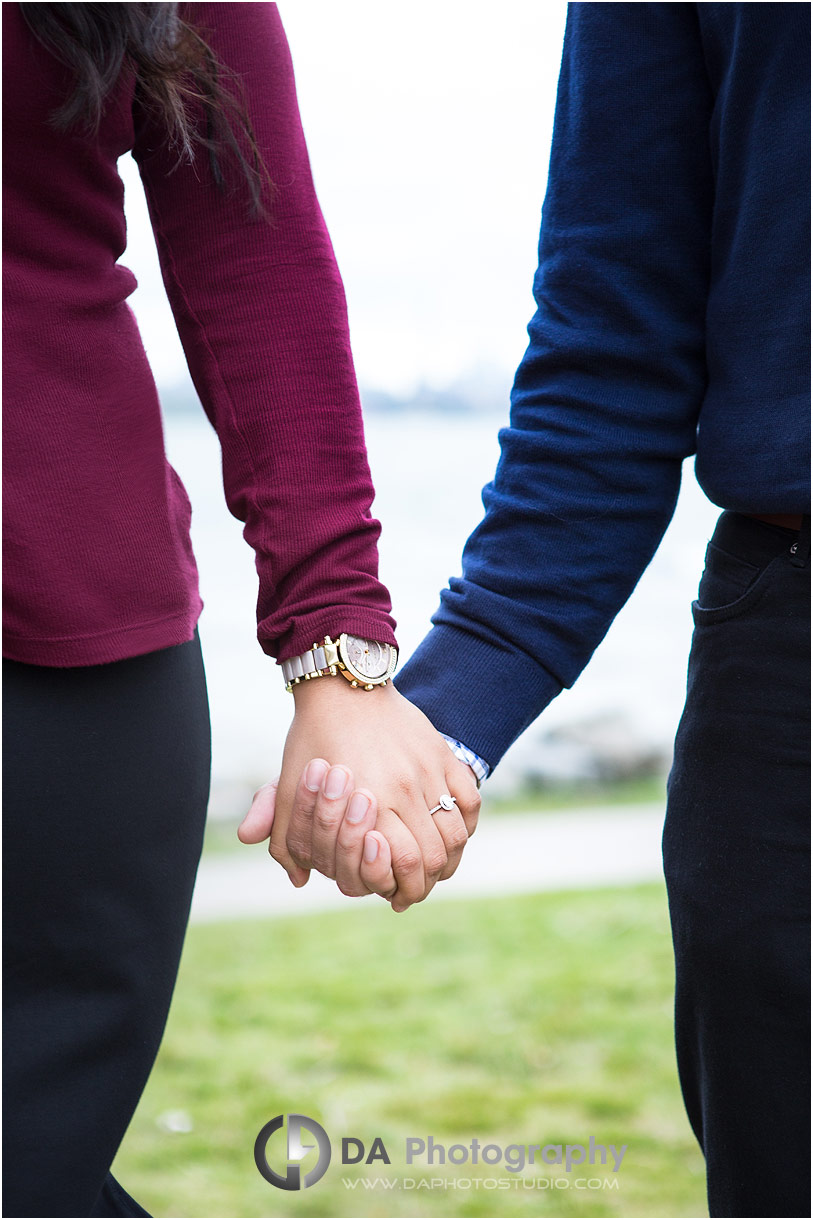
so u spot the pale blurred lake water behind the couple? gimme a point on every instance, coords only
(429, 473)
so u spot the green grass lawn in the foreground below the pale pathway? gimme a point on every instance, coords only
(541, 1019)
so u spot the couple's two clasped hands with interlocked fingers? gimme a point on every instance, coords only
(379, 740)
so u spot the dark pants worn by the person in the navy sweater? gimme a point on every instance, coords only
(737, 861)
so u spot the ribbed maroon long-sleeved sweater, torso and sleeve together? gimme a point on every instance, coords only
(97, 554)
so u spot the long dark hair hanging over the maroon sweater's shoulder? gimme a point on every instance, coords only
(173, 63)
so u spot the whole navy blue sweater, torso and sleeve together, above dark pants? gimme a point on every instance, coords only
(673, 319)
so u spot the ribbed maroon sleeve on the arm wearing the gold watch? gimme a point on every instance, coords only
(262, 314)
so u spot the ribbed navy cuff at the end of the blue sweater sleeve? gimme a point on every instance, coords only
(475, 691)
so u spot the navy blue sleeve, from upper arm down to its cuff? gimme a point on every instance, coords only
(606, 401)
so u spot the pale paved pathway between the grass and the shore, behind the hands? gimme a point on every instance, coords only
(513, 853)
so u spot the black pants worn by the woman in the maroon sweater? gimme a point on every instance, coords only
(106, 790)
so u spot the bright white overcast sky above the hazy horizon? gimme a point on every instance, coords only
(429, 129)
